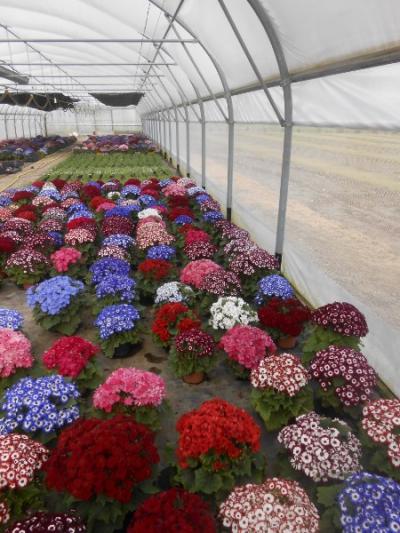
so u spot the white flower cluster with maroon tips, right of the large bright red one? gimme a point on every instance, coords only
(322, 448)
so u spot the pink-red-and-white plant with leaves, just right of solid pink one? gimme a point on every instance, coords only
(281, 390)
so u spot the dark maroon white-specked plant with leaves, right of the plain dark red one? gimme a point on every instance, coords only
(339, 323)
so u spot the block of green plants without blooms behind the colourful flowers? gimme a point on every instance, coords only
(90, 166)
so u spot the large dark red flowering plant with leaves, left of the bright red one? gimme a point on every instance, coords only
(102, 467)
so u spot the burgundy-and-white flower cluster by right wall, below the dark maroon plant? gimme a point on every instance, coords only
(347, 371)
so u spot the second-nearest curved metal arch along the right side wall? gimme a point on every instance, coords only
(228, 98)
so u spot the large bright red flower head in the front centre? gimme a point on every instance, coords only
(217, 427)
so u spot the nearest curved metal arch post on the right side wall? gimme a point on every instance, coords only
(285, 82)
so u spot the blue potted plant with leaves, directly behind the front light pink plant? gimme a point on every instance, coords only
(119, 330)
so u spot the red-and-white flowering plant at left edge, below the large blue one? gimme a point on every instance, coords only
(21, 458)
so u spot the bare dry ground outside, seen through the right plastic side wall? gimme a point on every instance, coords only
(344, 201)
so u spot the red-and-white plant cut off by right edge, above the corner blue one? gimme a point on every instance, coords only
(381, 436)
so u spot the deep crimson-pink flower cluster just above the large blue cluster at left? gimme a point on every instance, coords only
(69, 355)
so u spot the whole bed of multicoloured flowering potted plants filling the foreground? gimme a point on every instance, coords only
(215, 299)
